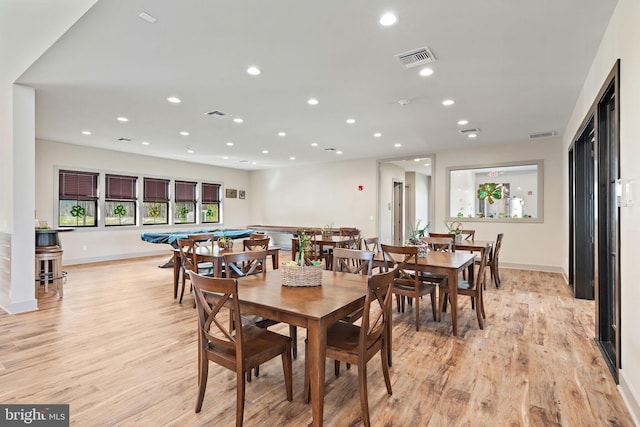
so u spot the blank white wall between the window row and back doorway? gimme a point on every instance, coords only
(316, 195)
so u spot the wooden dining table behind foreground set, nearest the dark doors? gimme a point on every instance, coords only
(450, 264)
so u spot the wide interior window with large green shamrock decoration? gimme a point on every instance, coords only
(509, 192)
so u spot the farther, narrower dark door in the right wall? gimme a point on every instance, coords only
(584, 214)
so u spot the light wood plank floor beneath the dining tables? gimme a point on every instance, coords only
(121, 351)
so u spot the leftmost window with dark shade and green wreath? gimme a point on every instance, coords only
(77, 199)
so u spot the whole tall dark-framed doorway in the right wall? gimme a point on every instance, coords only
(594, 224)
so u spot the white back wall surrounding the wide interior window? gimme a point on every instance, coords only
(526, 245)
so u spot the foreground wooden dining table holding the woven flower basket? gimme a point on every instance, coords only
(312, 307)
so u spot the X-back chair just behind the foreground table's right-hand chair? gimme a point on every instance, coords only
(408, 283)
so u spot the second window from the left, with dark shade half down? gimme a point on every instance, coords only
(120, 200)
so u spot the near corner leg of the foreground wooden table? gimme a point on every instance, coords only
(317, 342)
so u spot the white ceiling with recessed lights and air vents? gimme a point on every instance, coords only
(513, 68)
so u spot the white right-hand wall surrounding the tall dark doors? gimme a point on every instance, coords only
(621, 41)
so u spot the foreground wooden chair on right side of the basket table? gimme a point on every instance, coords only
(357, 345)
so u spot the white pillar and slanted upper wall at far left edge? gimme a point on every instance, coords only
(27, 29)
